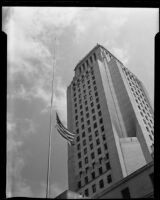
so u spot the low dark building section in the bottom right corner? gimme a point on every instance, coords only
(139, 184)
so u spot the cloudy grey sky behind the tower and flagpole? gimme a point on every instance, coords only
(35, 35)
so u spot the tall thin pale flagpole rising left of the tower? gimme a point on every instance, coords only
(51, 128)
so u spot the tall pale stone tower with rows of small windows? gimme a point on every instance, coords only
(110, 111)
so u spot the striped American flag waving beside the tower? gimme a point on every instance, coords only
(64, 132)
